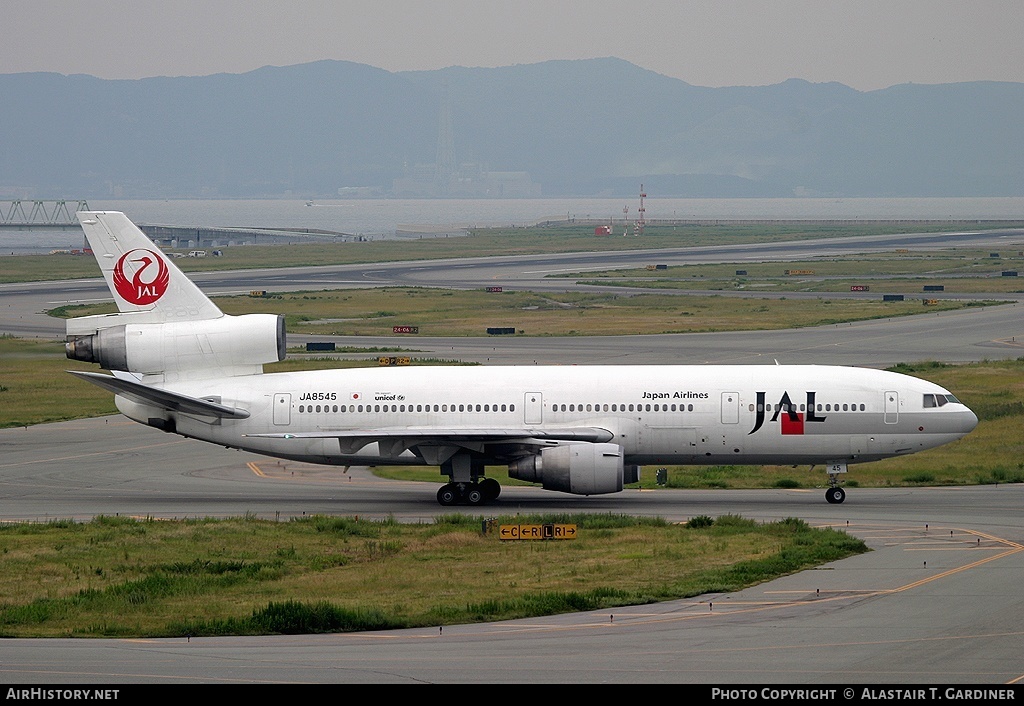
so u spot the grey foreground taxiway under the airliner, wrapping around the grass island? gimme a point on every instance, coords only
(937, 601)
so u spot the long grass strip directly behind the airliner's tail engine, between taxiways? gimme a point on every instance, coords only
(457, 313)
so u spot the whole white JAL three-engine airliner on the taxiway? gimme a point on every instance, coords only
(181, 365)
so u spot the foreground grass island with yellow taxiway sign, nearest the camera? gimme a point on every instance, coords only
(117, 577)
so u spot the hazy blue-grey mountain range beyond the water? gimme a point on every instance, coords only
(593, 128)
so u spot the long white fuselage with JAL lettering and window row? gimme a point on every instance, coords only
(658, 414)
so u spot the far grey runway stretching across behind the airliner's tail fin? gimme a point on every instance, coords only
(23, 306)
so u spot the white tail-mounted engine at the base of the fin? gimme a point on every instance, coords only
(225, 343)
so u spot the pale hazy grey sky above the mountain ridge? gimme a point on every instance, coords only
(866, 45)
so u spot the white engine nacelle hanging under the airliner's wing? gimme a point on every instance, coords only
(578, 469)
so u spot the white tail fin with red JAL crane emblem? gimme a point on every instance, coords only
(139, 275)
